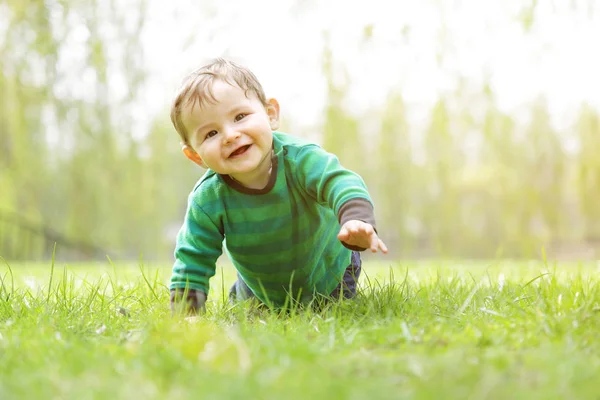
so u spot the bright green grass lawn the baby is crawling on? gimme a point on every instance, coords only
(425, 330)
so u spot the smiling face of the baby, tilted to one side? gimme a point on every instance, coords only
(234, 135)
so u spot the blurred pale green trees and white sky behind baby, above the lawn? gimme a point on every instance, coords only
(476, 124)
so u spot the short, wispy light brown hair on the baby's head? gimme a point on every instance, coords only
(196, 88)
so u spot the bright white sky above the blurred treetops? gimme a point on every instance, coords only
(420, 48)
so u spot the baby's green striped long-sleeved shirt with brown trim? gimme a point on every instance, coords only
(280, 238)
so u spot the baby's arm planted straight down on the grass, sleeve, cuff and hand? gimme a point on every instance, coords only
(199, 244)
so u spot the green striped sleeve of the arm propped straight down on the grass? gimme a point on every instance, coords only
(199, 244)
